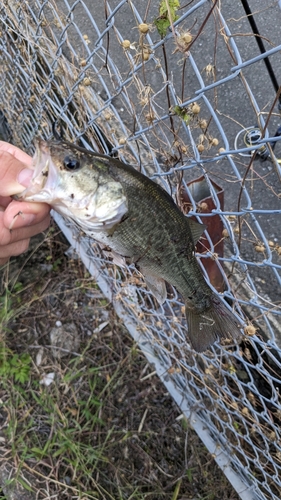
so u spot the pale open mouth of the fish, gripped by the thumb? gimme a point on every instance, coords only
(45, 176)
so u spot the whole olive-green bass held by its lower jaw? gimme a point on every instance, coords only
(139, 221)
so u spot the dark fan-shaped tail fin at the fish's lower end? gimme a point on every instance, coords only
(217, 322)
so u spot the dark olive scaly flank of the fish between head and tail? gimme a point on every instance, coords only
(158, 237)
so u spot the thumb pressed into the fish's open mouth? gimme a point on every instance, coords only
(13, 174)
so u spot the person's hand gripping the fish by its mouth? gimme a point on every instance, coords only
(19, 221)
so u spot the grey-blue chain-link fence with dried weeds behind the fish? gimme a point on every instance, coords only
(178, 103)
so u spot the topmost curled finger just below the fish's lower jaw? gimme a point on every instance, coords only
(20, 214)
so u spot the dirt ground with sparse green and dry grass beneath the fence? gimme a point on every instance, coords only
(83, 416)
